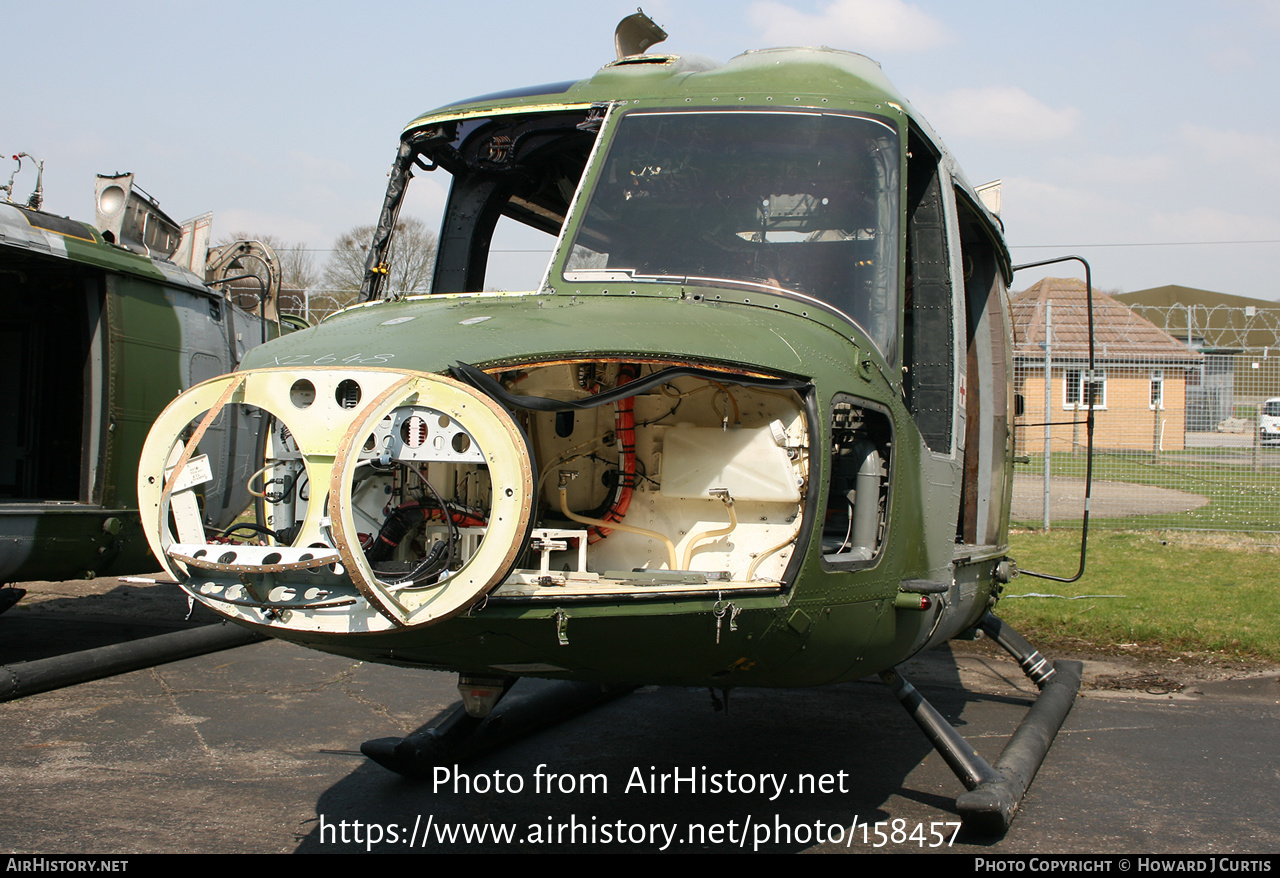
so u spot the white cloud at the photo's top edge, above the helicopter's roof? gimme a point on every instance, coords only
(867, 26)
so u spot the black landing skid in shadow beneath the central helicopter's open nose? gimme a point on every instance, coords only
(525, 710)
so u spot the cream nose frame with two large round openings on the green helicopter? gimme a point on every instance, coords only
(330, 551)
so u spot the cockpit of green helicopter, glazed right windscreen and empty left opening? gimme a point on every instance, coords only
(801, 204)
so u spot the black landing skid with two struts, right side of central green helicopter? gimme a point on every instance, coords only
(995, 792)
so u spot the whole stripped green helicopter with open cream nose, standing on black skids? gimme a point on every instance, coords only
(752, 429)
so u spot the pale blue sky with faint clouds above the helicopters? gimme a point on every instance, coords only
(1142, 136)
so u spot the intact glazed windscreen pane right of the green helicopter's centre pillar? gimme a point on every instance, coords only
(798, 203)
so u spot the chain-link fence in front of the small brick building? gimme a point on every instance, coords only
(1177, 447)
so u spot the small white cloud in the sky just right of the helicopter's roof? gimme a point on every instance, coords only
(1003, 113)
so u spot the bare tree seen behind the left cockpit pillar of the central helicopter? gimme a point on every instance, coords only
(413, 257)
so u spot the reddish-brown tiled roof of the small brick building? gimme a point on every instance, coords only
(1118, 332)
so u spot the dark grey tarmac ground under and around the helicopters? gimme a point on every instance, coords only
(257, 751)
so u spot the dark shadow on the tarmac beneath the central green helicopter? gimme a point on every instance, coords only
(781, 771)
